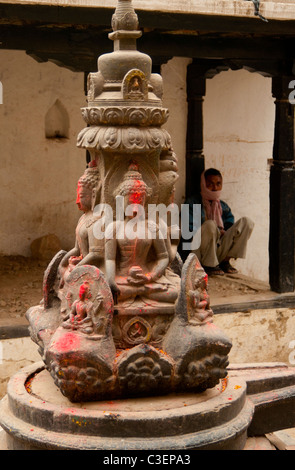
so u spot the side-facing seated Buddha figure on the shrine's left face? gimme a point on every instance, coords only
(87, 249)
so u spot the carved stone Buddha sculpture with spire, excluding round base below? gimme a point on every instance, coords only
(120, 316)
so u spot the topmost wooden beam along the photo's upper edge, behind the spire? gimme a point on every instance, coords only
(149, 18)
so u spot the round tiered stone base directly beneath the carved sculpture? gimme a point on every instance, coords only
(35, 415)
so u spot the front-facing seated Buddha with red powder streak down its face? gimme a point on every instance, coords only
(136, 261)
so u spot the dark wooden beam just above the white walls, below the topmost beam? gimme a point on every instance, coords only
(79, 49)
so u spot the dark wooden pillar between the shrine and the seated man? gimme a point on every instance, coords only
(196, 90)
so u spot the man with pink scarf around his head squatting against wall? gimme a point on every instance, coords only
(221, 237)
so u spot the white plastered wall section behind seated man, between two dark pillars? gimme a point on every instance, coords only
(239, 115)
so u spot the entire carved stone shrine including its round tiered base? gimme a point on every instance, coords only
(121, 318)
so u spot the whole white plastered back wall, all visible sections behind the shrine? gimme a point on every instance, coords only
(38, 176)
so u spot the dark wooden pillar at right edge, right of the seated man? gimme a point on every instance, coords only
(282, 193)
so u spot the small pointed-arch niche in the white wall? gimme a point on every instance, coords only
(57, 122)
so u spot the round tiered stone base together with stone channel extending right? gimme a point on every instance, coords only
(254, 400)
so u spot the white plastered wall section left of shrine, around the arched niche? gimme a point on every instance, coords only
(38, 176)
